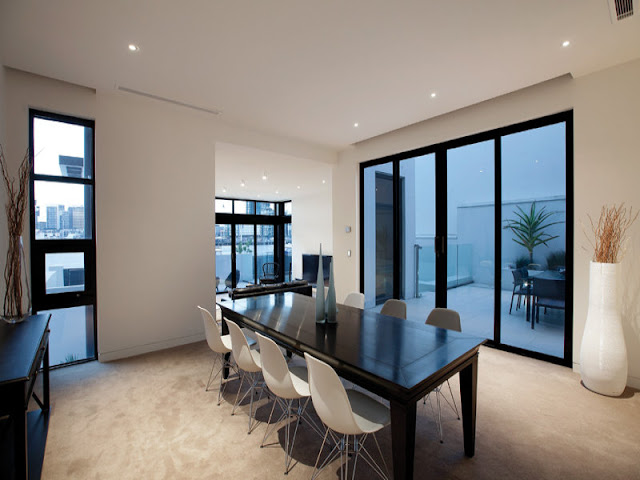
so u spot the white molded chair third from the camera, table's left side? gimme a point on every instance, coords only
(249, 362)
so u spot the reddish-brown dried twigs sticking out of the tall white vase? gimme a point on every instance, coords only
(610, 233)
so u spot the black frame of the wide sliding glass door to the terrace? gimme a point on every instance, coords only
(440, 240)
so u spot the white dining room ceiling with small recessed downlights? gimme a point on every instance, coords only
(308, 69)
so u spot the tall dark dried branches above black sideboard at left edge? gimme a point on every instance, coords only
(15, 209)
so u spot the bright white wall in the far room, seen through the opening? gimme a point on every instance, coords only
(311, 225)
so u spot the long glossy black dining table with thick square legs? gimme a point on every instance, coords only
(399, 360)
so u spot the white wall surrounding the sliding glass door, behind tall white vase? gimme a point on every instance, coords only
(606, 110)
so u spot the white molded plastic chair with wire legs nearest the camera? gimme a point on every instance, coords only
(348, 413)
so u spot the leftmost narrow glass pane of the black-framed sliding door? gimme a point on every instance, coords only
(378, 234)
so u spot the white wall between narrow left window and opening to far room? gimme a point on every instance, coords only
(155, 169)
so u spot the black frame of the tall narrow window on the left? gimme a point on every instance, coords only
(41, 247)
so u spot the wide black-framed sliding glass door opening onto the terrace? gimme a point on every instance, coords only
(482, 225)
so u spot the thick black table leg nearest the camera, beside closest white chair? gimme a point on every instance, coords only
(403, 439)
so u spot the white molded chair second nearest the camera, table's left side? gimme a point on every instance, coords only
(288, 384)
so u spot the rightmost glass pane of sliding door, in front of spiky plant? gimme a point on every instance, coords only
(539, 156)
